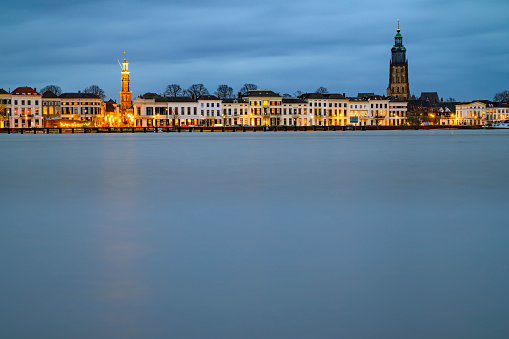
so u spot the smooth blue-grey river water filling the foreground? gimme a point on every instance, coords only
(366, 234)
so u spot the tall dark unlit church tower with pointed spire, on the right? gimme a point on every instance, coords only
(398, 73)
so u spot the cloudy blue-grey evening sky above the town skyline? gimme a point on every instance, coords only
(458, 48)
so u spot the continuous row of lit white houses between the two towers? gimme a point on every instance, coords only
(265, 107)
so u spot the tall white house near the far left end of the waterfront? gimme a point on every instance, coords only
(26, 107)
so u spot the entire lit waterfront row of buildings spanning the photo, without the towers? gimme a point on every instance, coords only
(25, 107)
